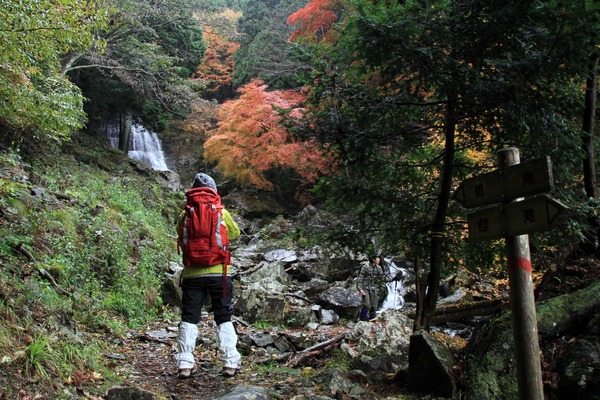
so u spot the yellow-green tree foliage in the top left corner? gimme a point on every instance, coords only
(35, 96)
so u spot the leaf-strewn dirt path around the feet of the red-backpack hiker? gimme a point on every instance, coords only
(148, 362)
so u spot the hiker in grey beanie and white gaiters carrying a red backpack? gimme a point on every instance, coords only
(206, 274)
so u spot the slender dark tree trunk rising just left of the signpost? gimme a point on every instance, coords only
(439, 223)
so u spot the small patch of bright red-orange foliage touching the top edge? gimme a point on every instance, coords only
(314, 21)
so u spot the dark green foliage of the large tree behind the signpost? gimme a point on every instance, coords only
(381, 96)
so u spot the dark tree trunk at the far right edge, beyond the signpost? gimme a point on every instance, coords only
(589, 164)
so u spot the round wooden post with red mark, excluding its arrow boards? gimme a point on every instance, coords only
(525, 333)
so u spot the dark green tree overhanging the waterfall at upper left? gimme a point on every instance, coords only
(151, 50)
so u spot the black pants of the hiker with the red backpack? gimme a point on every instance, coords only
(195, 292)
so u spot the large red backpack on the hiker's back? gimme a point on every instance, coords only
(202, 233)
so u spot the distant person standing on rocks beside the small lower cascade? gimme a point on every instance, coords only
(368, 280)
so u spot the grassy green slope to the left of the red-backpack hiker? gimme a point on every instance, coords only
(105, 241)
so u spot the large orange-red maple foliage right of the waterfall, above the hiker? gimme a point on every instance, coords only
(250, 139)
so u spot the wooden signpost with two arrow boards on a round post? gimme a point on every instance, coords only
(513, 218)
